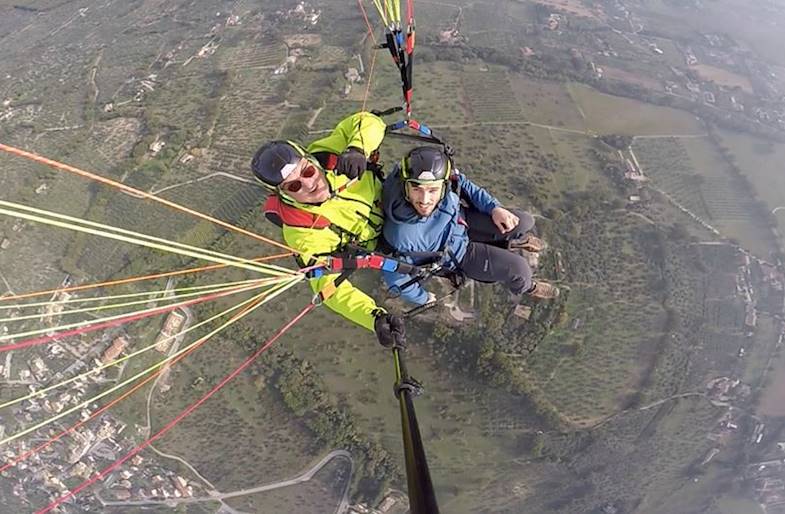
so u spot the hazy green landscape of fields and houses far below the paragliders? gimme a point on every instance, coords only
(646, 136)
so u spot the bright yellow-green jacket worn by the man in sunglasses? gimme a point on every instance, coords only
(355, 214)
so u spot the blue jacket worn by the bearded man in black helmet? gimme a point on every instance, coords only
(442, 231)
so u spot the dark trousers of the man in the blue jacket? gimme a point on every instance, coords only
(488, 258)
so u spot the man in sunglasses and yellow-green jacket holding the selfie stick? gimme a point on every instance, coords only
(325, 198)
